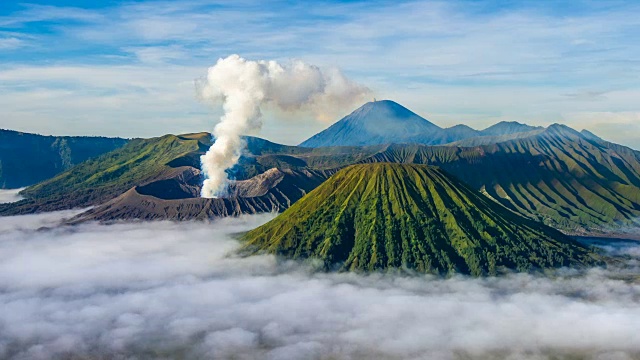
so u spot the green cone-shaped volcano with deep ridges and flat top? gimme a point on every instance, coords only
(384, 216)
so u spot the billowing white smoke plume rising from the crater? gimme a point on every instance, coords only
(245, 86)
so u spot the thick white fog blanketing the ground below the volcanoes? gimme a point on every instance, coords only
(167, 290)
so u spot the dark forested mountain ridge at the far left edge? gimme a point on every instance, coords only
(26, 159)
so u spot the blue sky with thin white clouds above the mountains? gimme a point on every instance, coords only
(127, 68)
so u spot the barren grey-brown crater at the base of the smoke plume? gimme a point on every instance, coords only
(176, 198)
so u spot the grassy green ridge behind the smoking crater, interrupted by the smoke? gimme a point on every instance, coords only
(144, 160)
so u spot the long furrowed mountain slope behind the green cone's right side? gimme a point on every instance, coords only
(557, 176)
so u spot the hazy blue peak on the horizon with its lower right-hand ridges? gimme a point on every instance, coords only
(387, 122)
